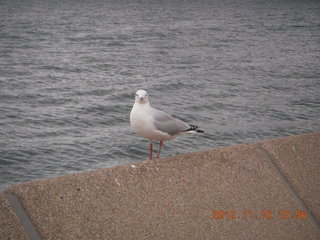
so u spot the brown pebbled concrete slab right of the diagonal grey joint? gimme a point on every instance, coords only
(298, 158)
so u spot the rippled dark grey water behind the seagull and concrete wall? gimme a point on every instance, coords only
(242, 70)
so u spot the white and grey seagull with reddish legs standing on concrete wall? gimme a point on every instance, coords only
(156, 125)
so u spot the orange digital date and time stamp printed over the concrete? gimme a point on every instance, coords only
(258, 214)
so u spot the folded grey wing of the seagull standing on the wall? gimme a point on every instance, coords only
(166, 123)
